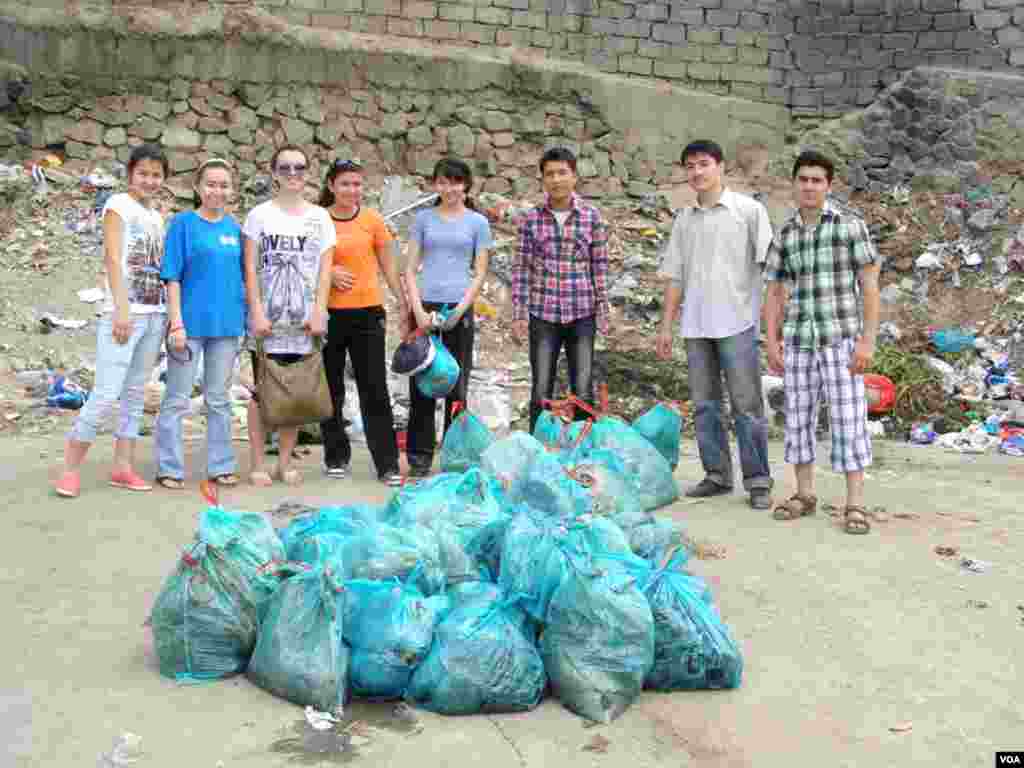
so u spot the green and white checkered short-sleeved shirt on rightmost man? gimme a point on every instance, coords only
(821, 265)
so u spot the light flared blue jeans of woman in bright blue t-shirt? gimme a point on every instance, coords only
(219, 355)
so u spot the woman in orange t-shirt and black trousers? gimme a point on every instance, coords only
(357, 324)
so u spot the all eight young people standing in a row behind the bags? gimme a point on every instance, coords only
(295, 271)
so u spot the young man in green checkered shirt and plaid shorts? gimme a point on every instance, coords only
(828, 265)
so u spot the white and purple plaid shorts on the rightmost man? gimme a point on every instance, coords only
(807, 372)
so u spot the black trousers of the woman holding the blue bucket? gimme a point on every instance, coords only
(422, 439)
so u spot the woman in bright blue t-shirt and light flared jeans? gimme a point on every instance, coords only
(206, 317)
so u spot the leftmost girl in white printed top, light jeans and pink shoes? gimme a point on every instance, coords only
(132, 328)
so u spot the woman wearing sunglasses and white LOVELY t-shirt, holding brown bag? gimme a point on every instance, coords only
(289, 250)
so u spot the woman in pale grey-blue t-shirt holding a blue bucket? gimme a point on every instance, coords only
(451, 241)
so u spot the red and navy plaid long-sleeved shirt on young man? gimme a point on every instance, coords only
(562, 276)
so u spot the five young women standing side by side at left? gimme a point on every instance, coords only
(210, 288)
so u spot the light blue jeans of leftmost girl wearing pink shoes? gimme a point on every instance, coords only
(121, 374)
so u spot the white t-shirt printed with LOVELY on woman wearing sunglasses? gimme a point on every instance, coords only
(289, 248)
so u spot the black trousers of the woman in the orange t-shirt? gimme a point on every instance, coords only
(360, 334)
